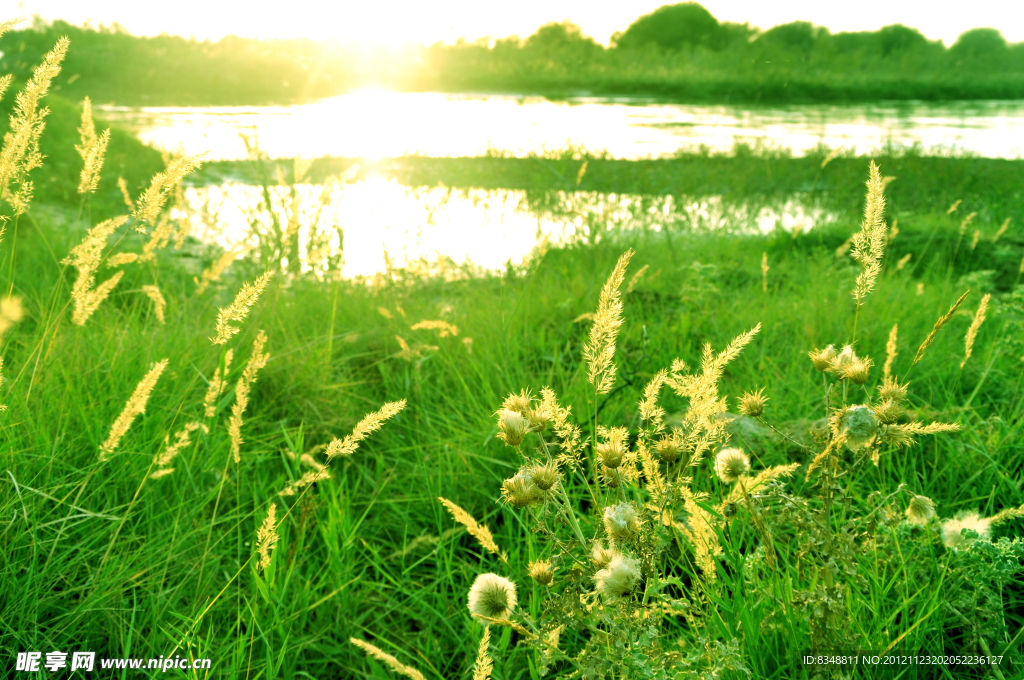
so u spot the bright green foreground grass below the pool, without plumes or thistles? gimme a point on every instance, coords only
(95, 560)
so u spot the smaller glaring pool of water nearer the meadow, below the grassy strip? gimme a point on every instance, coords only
(381, 224)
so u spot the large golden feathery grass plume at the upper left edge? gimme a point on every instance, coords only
(21, 145)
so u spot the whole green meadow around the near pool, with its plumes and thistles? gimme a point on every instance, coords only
(115, 546)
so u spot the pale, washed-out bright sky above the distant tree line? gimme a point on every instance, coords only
(397, 22)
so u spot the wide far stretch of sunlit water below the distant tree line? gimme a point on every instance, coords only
(393, 124)
